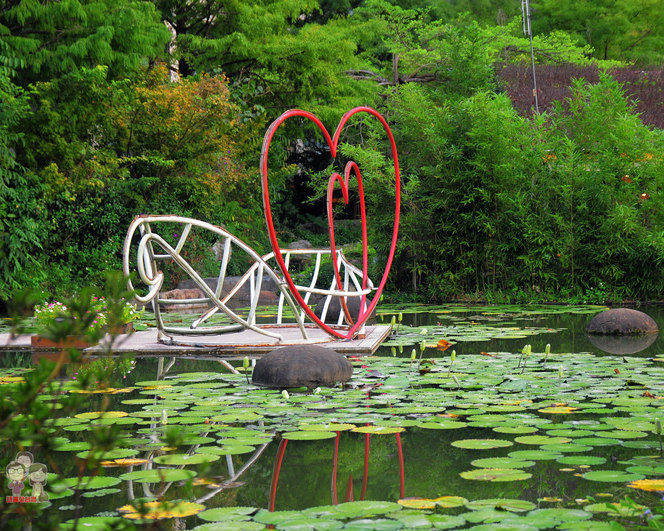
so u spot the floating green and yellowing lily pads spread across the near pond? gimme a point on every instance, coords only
(497, 424)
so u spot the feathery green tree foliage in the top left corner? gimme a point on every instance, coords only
(52, 38)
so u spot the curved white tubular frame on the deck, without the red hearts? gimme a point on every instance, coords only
(153, 250)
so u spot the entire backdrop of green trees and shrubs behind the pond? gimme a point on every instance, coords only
(492, 202)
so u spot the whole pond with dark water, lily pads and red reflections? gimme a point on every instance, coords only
(498, 436)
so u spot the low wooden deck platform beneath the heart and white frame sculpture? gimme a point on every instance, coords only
(232, 345)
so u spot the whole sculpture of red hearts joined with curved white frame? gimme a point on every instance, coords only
(347, 282)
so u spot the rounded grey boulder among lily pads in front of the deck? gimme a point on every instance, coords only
(302, 366)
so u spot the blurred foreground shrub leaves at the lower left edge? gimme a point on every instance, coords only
(29, 404)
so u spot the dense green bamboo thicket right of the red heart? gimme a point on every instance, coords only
(565, 202)
